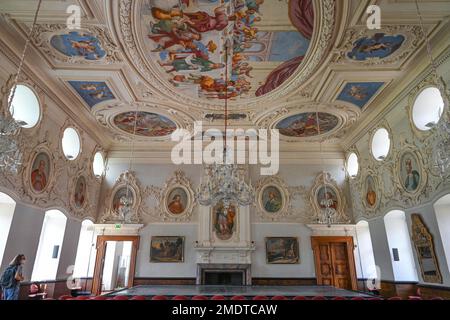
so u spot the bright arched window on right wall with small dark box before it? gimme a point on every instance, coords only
(401, 253)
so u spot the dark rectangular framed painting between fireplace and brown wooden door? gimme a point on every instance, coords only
(282, 250)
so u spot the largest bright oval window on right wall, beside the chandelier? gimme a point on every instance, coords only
(427, 109)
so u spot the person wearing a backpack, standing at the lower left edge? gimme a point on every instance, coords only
(11, 278)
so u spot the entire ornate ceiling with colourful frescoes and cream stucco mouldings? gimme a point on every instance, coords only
(166, 59)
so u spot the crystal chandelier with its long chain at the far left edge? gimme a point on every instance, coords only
(10, 153)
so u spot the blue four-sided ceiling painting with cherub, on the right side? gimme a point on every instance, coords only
(359, 93)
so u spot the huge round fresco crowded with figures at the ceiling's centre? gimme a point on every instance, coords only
(187, 38)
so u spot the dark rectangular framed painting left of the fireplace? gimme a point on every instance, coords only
(168, 249)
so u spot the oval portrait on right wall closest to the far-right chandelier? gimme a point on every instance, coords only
(410, 172)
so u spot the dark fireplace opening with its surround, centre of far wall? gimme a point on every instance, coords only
(223, 274)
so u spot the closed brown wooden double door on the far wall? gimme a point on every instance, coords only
(334, 261)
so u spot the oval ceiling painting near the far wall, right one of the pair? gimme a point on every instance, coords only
(304, 125)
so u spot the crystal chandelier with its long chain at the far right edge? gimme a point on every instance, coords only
(441, 151)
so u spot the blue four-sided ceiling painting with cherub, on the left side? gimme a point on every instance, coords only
(92, 92)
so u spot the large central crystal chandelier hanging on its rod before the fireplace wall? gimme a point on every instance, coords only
(225, 183)
